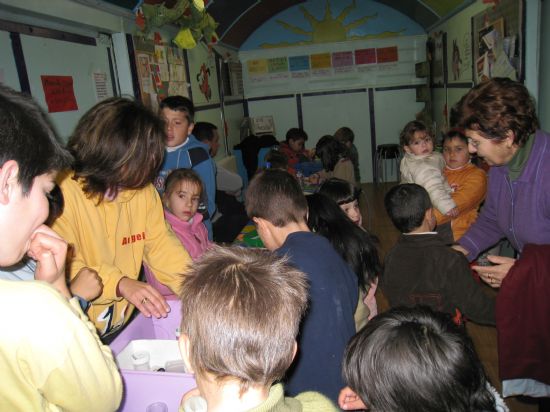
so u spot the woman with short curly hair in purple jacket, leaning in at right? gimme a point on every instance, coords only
(501, 124)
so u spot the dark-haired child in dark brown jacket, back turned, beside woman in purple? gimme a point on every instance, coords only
(421, 269)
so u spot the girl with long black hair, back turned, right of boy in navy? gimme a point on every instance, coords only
(356, 246)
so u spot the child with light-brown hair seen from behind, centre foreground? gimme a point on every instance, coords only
(241, 309)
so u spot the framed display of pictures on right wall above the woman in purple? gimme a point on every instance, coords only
(497, 42)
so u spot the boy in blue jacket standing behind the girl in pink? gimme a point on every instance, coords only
(183, 150)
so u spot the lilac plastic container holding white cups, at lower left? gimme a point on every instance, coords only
(143, 388)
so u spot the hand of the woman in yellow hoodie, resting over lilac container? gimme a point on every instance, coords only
(146, 298)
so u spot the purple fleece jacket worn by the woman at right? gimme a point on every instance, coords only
(518, 210)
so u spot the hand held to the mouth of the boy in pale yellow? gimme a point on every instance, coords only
(50, 251)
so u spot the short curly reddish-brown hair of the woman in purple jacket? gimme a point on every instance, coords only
(497, 106)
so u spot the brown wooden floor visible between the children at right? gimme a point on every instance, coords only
(376, 221)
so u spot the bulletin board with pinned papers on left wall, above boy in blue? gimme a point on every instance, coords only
(160, 70)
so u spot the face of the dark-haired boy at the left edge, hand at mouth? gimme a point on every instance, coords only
(22, 216)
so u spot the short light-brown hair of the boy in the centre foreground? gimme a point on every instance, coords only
(241, 309)
